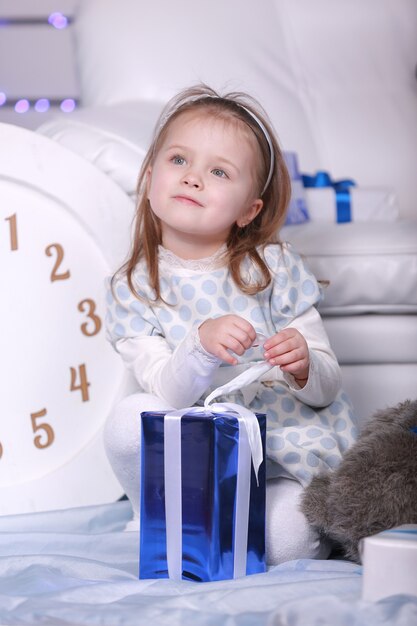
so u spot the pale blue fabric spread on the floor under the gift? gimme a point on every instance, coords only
(77, 567)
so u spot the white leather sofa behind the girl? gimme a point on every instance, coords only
(337, 79)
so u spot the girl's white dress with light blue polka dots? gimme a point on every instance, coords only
(303, 439)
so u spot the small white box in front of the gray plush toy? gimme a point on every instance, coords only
(390, 563)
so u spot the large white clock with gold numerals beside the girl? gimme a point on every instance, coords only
(64, 226)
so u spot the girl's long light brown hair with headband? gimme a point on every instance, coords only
(242, 242)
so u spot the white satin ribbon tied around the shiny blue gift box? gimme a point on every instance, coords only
(249, 448)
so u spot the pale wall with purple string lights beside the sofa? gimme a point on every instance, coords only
(36, 59)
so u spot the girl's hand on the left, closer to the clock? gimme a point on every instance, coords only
(228, 332)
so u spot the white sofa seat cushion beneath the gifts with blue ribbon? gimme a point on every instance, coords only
(371, 266)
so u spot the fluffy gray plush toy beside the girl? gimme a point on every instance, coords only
(375, 486)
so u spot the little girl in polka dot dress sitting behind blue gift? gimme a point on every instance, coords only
(208, 290)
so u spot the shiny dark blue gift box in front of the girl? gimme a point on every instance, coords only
(209, 477)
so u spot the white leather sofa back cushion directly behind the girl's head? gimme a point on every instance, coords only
(147, 53)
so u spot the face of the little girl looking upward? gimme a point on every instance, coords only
(202, 182)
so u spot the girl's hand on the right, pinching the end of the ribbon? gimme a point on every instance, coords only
(288, 349)
